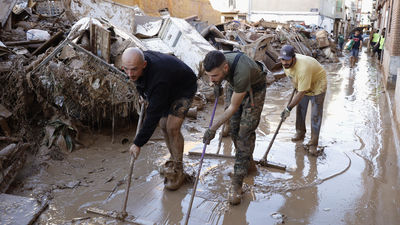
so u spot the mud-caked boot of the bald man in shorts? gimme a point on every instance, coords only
(174, 176)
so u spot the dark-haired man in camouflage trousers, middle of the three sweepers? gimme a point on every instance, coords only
(245, 94)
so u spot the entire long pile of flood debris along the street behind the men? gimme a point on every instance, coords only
(62, 65)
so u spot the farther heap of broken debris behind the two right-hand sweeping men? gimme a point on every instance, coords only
(262, 40)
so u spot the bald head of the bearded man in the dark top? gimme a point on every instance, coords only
(133, 63)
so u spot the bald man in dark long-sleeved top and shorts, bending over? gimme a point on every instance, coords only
(169, 85)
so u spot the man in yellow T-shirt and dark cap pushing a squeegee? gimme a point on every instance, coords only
(309, 79)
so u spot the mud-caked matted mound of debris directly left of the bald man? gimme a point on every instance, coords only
(83, 89)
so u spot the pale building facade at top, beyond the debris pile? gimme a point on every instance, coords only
(324, 13)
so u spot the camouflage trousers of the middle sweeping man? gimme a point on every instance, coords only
(242, 127)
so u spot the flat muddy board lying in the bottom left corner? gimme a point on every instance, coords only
(20, 210)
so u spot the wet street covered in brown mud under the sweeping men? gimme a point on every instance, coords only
(355, 180)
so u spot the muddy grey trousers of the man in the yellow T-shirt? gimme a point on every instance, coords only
(317, 107)
